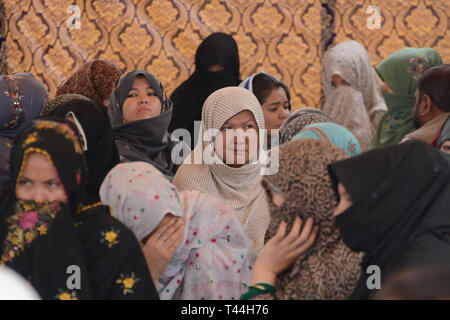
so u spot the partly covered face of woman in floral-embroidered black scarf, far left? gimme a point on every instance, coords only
(39, 181)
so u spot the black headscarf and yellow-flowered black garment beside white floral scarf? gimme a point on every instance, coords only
(111, 250)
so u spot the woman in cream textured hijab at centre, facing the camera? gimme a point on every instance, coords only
(220, 173)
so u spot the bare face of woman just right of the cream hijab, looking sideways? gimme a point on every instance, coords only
(275, 109)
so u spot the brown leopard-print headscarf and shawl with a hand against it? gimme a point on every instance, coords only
(329, 269)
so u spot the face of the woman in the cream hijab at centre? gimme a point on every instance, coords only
(238, 140)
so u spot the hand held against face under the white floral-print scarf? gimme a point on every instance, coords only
(162, 244)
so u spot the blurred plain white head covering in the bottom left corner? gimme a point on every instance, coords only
(15, 287)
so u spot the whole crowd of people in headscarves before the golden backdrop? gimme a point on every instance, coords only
(103, 198)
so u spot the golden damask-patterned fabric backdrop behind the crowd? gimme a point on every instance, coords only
(284, 37)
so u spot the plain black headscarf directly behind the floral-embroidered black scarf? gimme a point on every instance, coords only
(101, 152)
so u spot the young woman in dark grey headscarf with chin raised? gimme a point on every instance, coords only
(140, 114)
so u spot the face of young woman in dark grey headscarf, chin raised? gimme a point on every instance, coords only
(142, 102)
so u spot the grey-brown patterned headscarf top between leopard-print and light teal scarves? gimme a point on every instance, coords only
(298, 120)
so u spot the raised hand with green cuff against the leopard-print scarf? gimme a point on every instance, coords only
(281, 251)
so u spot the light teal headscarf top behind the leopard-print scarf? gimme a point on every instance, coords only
(336, 134)
